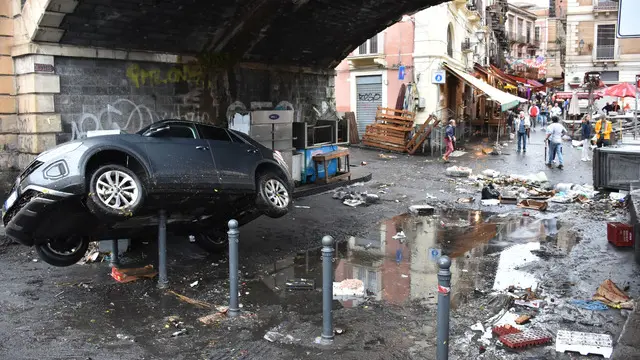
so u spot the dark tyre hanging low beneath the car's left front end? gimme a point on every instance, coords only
(63, 251)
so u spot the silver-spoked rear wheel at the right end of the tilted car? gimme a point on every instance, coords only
(274, 196)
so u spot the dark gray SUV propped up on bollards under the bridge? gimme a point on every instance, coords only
(112, 186)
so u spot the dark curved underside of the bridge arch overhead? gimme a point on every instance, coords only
(310, 33)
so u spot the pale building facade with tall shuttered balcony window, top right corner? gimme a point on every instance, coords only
(592, 45)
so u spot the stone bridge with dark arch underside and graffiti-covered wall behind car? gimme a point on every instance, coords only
(71, 66)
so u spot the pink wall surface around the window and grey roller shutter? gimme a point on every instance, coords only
(398, 48)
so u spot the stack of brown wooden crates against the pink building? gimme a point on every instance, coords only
(391, 130)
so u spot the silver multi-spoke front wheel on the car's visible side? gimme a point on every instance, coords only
(115, 191)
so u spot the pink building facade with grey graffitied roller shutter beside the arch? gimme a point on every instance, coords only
(374, 72)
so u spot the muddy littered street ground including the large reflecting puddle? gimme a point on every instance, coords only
(81, 312)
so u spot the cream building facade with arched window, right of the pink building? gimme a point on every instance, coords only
(453, 33)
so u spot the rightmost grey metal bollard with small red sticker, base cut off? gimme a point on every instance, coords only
(444, 302)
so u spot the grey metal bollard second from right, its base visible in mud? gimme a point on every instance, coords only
(327, 289)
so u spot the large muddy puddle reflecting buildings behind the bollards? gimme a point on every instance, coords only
(487, 252)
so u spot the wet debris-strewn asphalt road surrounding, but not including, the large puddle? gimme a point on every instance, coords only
(80, 312)
